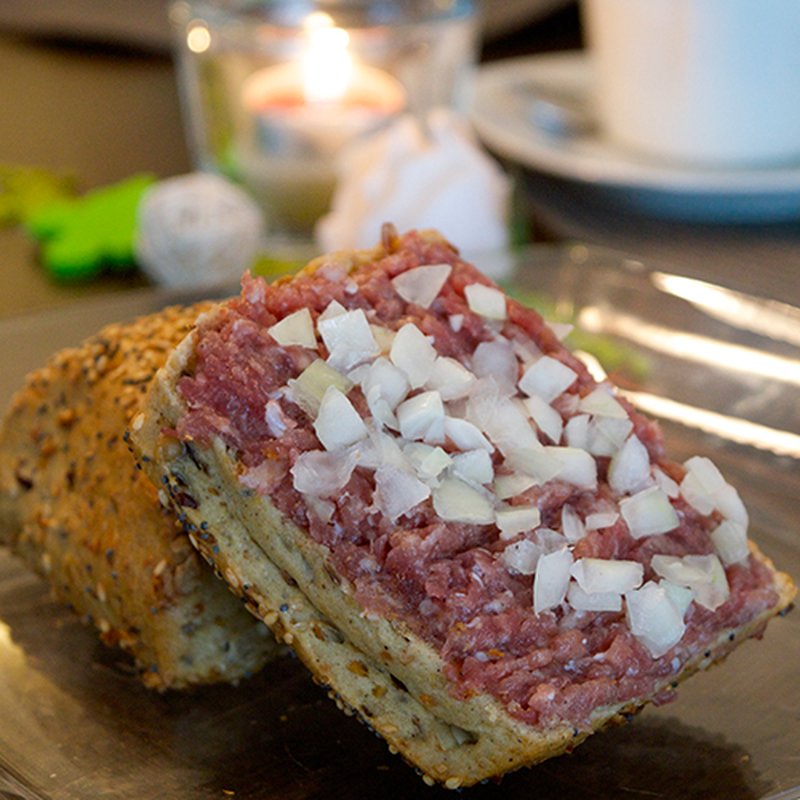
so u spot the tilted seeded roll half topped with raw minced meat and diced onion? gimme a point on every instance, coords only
(481, 551)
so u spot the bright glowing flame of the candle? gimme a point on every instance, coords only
(327, 64)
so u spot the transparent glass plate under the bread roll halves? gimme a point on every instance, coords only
(76, 724)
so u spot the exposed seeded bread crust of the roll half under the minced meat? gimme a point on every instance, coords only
(373, 667)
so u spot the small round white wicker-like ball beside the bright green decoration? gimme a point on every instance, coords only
(197, 230)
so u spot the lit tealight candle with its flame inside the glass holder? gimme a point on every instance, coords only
(302, 113)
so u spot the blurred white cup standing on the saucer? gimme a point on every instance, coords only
(704, 82)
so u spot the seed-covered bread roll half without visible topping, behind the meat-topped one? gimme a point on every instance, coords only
(76, 508)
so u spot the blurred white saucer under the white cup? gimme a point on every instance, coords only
(506, 93)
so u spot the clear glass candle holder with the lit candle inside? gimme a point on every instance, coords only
(273, 90)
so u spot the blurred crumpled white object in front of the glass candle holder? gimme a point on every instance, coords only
(415, 176)
